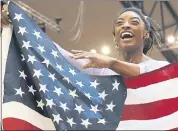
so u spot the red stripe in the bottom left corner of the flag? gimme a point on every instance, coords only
(17, 124)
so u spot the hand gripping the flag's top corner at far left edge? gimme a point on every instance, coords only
(4, 16)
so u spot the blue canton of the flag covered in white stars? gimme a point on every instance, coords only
(38, 76)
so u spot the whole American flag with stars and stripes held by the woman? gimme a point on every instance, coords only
(43, 90)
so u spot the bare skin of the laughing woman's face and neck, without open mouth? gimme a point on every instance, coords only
(132, 49)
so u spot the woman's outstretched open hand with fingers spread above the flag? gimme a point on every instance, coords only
(95, 60)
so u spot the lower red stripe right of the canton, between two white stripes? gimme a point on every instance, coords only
(151, 110)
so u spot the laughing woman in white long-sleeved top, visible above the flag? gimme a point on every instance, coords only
(133, 36)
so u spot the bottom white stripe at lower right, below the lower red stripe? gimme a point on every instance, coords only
(164, 123)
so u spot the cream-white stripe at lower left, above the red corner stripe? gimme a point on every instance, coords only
(20, 111)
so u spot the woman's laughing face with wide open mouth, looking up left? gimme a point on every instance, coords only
(129, 31)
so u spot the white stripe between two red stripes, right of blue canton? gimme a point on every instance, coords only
(155, 92)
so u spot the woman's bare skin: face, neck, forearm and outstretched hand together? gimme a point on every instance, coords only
(130, 50)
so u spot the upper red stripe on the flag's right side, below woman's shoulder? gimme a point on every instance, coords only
(159, 75)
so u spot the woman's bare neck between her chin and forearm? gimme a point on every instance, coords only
(131, 57)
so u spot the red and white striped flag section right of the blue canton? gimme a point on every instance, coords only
(151, 102)
